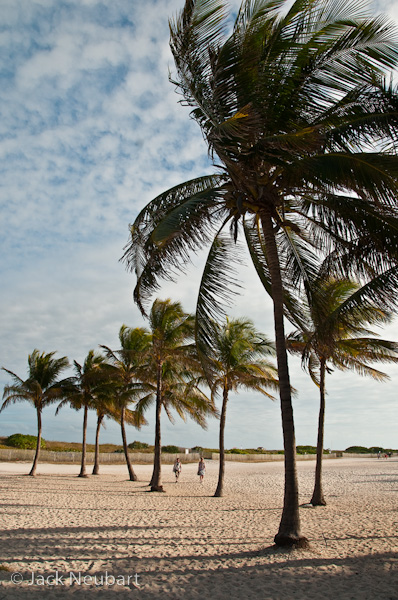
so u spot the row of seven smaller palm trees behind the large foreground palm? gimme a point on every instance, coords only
(162, 366)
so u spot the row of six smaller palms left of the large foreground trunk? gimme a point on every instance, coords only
(157, 366)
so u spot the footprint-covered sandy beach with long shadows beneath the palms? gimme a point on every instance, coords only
(66, 537)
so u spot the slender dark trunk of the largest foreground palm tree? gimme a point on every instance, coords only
(289, 528)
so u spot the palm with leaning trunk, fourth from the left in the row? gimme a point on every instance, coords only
(126, 370)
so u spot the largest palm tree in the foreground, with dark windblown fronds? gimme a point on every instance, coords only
(290, 105)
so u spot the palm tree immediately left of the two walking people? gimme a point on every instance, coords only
(175, 371)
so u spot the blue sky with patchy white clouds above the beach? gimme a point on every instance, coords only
(91, 129)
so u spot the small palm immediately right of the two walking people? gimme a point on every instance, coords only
(238, 359)
